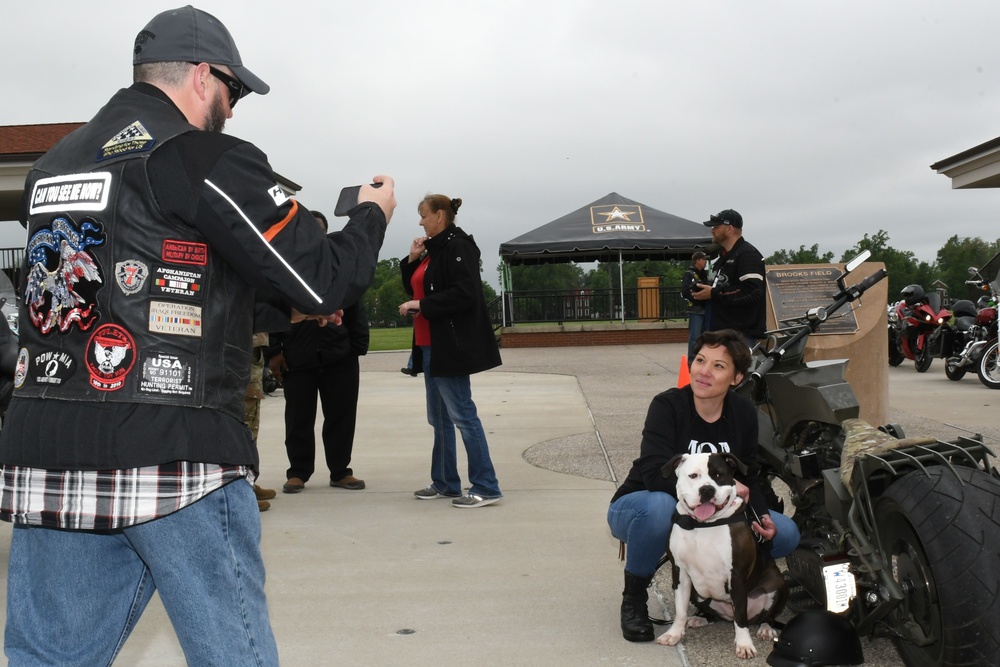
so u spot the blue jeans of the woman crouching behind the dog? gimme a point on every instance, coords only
(642, 520)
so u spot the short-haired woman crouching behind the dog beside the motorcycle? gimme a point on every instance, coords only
(703, 417)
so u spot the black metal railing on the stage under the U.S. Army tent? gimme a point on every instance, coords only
(584, 305)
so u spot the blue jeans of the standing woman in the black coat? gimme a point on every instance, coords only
(449, 404)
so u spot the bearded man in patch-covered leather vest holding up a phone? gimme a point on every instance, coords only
(125, 464)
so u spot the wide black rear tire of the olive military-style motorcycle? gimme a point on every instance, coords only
(939, 530)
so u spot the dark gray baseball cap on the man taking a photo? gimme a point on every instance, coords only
(190, 35)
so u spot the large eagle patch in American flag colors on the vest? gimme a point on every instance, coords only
(64, 278)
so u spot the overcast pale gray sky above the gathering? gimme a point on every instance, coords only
(816, 120)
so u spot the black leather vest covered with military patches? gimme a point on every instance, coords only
(121, 303)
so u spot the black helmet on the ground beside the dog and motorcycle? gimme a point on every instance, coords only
(817, 638)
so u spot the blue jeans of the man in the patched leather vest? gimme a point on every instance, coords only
(73, 597)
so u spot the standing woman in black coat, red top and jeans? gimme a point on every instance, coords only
(452, 339)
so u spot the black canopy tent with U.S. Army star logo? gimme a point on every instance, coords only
(611, 228)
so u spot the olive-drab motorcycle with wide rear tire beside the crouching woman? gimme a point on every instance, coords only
(899, 535)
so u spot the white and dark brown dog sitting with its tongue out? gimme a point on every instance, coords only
(714, 551)
